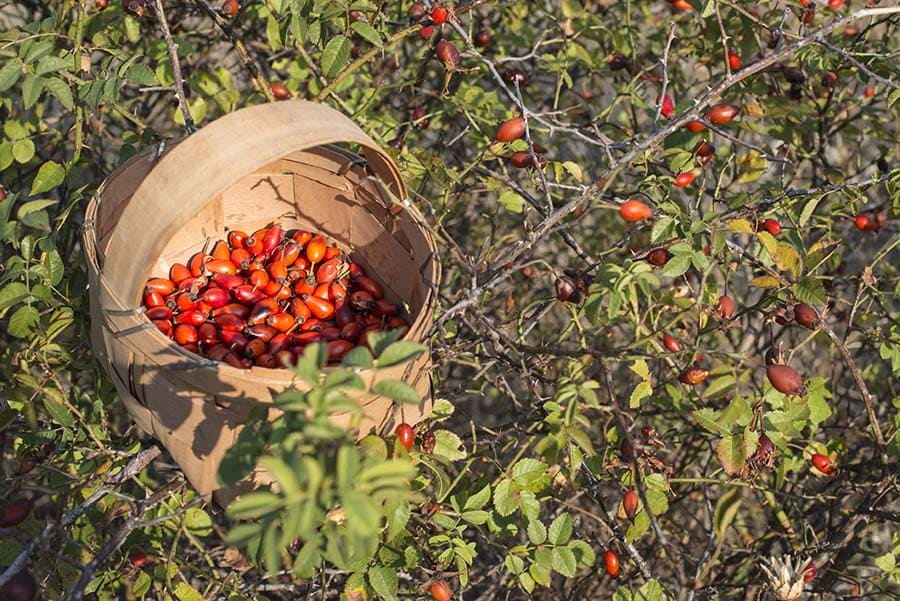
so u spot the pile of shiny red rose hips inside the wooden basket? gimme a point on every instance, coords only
(261, 298)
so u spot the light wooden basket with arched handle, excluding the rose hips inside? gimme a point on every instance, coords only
(273, 162)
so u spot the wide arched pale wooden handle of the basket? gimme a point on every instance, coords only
(206, 163)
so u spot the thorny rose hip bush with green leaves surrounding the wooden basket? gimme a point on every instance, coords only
(667, 342)
